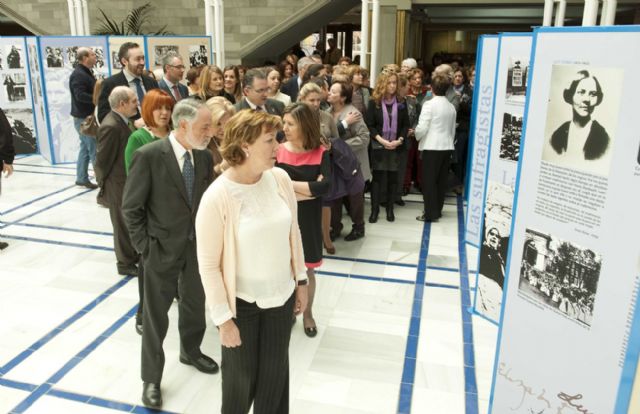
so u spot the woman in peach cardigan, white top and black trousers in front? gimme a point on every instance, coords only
(252, 265)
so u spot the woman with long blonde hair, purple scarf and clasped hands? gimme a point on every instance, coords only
(388, 122)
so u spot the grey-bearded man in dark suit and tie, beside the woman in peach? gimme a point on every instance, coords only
(164, 187)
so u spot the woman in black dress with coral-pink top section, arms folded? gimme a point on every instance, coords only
(307, 162)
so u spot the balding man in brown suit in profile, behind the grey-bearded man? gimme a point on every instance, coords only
(112, 138)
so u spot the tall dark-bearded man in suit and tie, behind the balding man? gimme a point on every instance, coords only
(131, 57)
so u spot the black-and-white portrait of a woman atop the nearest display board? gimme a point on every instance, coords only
(581, 117)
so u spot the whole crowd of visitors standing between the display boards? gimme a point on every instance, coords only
(257, 165)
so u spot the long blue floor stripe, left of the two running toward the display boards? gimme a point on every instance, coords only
(410, 357)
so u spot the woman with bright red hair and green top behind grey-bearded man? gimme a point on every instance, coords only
(156, 113)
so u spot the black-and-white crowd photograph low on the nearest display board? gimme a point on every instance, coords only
(560, 275)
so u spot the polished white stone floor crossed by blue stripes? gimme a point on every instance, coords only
(394, 335)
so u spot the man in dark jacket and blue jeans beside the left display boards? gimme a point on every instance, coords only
(81, 84)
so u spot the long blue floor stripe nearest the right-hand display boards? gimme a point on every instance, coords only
(470, 382)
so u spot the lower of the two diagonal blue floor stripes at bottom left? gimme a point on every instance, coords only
(45, 388)
